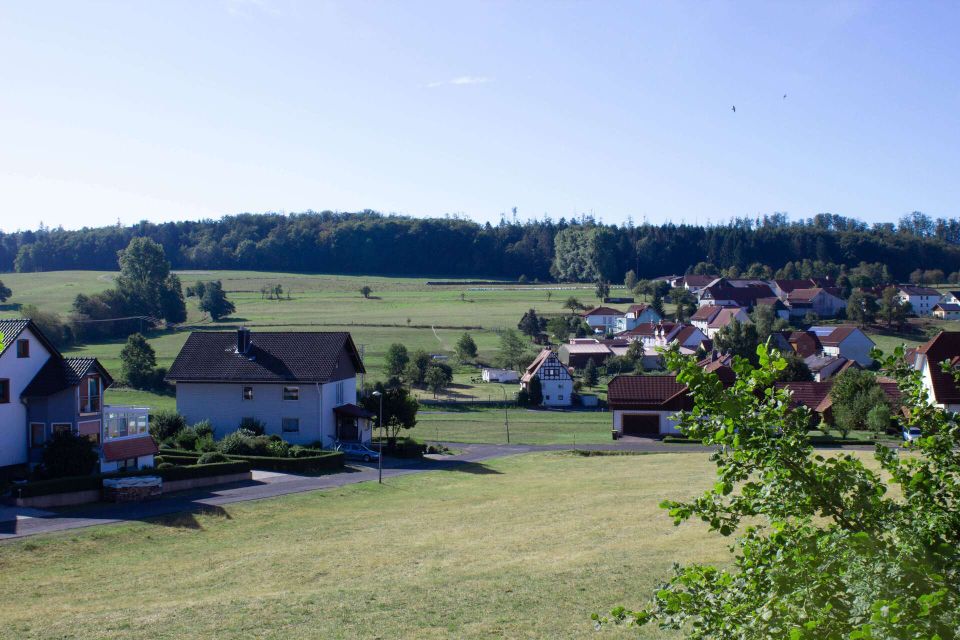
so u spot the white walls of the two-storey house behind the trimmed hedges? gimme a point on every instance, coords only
(224, 406)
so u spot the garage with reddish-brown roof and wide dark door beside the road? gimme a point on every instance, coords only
(644, 406)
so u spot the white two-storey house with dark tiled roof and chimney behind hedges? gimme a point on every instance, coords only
(301, 385)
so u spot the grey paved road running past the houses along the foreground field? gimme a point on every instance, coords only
(18, 523)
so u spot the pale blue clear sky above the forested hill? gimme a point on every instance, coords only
(182, 110)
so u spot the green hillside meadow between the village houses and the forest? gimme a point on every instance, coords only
(405, 310)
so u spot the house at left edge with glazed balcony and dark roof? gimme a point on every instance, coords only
(43, 393)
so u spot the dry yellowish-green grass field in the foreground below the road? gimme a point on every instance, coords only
(527, 546)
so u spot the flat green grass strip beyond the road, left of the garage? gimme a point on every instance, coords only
(527, 426)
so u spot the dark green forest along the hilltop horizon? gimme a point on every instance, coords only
(582, 249)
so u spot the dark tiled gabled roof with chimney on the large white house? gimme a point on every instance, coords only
(303, 356)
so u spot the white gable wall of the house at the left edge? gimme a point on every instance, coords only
(13, 415)
